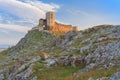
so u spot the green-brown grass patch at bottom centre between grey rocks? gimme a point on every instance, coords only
(55, 73)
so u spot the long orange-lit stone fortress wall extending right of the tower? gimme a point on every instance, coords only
(58, 27)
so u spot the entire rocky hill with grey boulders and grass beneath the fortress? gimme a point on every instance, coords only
(92, 54)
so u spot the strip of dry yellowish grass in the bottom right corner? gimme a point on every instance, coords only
(96, 73)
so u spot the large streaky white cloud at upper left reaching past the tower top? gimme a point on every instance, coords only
(29, 11)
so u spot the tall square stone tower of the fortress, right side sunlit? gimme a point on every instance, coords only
(50, 19)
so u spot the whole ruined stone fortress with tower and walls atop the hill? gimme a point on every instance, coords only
(51, 25)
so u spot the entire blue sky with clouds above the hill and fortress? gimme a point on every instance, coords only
(19, 16)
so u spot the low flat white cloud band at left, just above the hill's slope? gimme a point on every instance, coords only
(15, 28)
